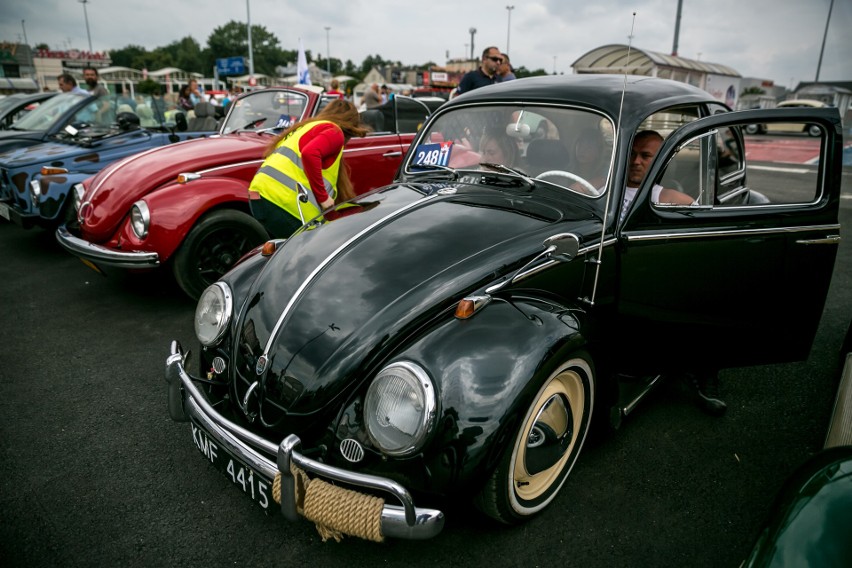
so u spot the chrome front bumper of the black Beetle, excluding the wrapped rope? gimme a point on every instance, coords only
(185, 401)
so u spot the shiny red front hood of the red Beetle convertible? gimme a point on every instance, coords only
(111, 193)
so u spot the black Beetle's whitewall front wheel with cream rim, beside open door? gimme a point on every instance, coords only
(545, 447)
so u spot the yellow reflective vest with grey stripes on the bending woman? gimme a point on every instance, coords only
(279, 176)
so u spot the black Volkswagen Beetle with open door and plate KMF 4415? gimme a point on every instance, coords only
(453, 334)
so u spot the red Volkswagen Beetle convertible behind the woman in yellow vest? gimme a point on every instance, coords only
(186, 206)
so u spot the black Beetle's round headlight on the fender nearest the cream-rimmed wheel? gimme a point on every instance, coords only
(399, 408)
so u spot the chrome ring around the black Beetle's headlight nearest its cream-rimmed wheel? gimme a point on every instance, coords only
(426, 389)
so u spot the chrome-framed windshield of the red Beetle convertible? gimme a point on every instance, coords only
(261, 110)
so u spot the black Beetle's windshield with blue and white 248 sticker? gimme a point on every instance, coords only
(568, 147)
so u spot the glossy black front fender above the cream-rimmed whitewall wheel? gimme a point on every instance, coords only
(486, 370)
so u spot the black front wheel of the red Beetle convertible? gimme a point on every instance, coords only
(212, 247)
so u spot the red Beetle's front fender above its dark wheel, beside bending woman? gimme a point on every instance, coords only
(176, 208)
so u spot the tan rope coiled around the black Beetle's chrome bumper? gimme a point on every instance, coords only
(334, 510)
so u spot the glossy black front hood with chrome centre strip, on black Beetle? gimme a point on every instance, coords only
(332, 302)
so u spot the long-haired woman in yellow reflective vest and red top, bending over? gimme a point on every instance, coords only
(309, 153)
